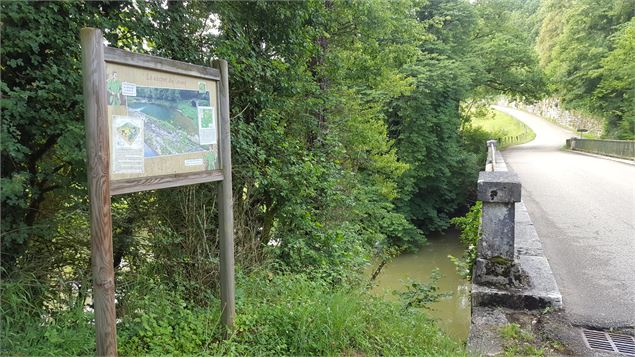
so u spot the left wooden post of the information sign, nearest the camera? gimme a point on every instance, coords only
(96, 118)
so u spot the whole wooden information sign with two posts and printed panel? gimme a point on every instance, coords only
(151, 123)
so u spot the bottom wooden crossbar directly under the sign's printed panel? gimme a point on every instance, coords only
(157, 182)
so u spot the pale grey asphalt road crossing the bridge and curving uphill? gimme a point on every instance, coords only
(583, 208)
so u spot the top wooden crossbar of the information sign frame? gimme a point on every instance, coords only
(115, 55)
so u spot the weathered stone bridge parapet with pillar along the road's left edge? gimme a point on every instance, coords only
(511, 270)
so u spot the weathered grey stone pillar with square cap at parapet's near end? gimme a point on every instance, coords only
(499, 191)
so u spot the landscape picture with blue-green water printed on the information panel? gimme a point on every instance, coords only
(171, 119)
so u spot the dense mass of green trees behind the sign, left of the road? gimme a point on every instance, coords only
(345, 125)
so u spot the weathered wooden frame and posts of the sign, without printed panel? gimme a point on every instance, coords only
(95, 56)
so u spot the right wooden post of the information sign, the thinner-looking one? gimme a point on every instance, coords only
(226, 206)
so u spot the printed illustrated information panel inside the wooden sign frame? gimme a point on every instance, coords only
(160, 124)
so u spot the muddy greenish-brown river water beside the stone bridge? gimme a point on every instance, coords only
(453, 313)
